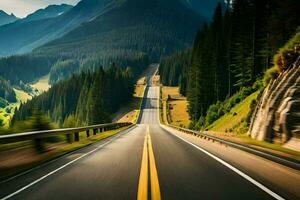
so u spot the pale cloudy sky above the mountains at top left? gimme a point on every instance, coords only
(22, 8)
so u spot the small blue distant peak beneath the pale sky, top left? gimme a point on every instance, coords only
(48, 12)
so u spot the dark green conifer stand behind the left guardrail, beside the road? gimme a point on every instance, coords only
(86, 98)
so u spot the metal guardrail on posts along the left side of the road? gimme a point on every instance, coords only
(67, 131)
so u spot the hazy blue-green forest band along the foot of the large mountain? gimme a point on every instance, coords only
(28, 68)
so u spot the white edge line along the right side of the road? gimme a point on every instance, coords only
(242, 174)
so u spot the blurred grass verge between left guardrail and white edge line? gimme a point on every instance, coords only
(56, 151)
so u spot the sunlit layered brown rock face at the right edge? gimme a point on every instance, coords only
(277, 115)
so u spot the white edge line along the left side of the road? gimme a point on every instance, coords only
(65, 165)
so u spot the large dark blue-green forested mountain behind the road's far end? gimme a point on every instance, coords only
(122, 32)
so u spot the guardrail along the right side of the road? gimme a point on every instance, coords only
(295, 164)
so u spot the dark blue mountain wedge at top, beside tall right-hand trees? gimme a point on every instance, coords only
(204, 7)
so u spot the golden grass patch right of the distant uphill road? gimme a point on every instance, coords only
(177, 112)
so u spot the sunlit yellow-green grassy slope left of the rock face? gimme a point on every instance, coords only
(235, 117)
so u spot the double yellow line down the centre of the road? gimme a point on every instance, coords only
(148, 164)
